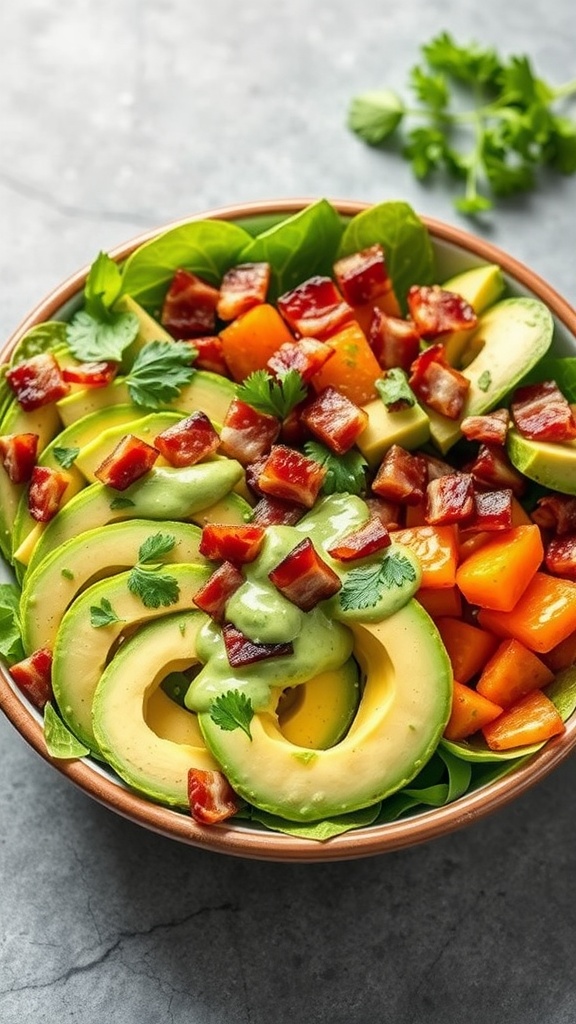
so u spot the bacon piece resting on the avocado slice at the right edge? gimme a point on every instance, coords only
(542, 413)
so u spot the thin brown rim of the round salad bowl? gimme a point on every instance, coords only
(244, 841)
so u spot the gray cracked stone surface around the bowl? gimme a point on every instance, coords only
(125, 115)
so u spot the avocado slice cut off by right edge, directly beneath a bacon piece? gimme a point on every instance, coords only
(553, 465)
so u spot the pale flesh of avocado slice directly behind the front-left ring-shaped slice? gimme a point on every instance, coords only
(83, 652)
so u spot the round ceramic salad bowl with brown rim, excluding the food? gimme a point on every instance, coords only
(455, 252)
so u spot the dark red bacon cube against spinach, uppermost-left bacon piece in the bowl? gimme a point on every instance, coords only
(190, 307)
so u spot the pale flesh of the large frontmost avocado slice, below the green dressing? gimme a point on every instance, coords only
(402, 715)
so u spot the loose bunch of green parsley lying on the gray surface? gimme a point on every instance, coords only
(497, 146)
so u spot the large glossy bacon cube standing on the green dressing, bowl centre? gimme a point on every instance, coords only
(305, 578)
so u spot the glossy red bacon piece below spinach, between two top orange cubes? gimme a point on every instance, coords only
(315, 309)
